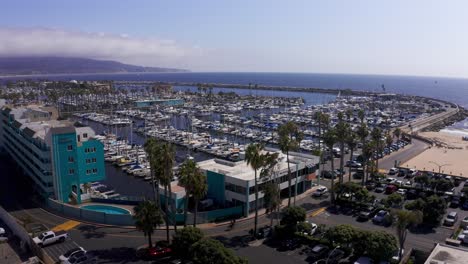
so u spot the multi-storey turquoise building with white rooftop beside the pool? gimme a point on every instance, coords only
(59, 158)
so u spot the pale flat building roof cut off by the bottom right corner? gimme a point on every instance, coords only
(444, 254)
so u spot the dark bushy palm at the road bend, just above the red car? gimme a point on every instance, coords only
(147, 217)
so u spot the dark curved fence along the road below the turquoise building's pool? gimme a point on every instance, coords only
(90, 216)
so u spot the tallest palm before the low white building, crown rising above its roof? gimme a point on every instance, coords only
(289, 140)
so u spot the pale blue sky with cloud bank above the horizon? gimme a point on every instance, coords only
(398, 37)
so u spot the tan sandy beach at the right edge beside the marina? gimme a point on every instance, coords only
(450, 152)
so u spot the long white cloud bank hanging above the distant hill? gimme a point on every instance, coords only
(122, 47)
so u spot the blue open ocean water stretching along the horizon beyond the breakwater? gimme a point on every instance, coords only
(450, 89)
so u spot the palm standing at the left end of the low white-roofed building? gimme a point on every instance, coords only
(190, 176)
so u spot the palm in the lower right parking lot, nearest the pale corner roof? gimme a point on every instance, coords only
(405, 219)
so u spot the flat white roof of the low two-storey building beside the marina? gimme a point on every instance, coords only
(242, 171)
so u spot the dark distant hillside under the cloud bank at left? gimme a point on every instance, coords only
(57, 65)
